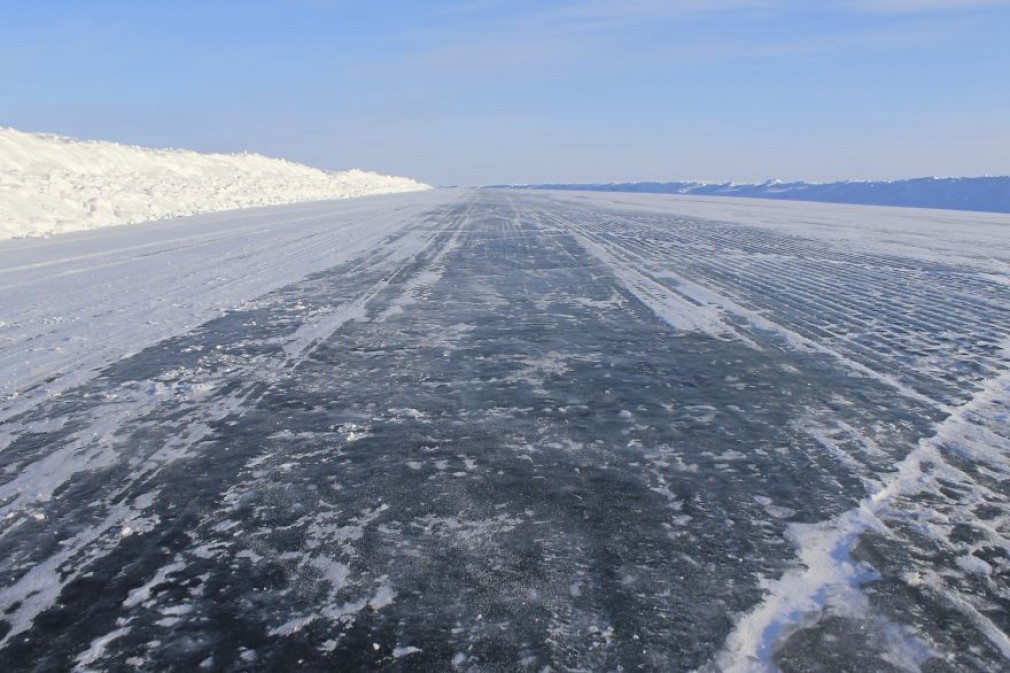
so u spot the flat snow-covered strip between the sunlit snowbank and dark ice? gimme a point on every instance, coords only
(76, 303)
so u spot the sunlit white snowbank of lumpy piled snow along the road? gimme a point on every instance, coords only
(51, 184)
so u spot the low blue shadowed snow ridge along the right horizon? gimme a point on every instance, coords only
(986, 195)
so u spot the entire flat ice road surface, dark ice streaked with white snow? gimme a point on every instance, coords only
(506, 431)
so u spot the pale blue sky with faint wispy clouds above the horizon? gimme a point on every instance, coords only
(482, 91)
